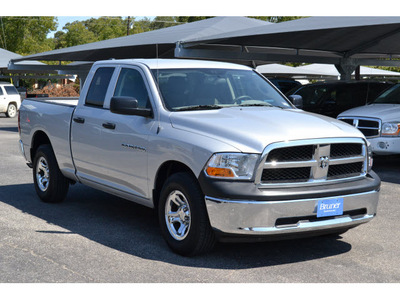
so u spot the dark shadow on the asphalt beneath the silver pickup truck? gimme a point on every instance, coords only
(133, 229)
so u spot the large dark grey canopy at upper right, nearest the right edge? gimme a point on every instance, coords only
(346, 42)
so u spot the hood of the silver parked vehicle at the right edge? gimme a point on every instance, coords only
(385, 112)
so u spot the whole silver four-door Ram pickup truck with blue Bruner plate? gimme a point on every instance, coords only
(214, 147)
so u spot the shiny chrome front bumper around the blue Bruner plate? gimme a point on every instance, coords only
(260, 217)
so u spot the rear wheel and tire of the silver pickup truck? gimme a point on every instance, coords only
(50, 185)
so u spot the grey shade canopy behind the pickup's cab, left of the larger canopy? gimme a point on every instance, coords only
(152, 44)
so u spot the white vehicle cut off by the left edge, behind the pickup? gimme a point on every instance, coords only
(10, 100)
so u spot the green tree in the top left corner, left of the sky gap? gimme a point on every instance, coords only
(27, 35)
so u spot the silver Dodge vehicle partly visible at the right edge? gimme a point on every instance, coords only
(379, 121)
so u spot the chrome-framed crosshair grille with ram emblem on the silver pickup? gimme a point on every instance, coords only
(312, 161)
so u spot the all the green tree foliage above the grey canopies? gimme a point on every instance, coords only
(28, 35)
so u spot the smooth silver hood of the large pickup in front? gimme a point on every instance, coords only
(251, 129)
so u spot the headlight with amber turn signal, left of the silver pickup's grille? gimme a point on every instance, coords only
(231, 165)
